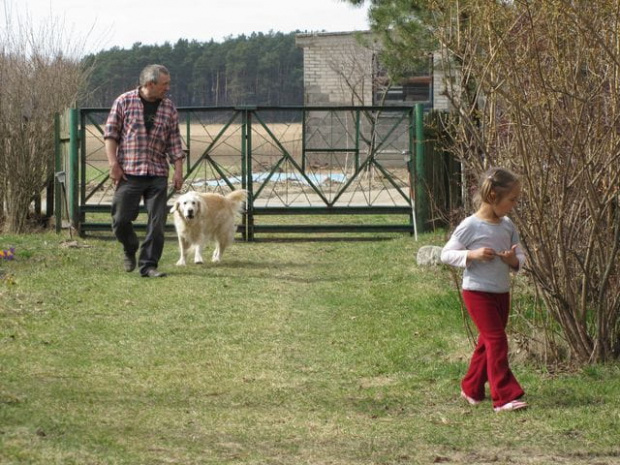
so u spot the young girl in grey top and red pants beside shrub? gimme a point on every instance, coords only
(486, 244)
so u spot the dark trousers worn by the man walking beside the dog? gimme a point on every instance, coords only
(125, 209)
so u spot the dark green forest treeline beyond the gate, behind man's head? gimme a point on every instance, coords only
(258, 69)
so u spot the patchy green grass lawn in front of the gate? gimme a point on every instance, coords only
(287, 352)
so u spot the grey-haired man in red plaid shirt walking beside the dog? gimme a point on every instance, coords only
(141, 137)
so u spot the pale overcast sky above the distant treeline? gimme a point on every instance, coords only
(103, 24)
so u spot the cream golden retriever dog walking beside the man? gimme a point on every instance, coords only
(200, 218)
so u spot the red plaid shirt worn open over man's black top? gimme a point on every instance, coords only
(140, 153)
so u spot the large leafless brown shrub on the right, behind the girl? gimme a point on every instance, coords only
(537, 89)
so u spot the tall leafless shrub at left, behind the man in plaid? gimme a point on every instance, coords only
(40, 76)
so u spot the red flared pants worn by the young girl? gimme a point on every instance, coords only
(489, 362)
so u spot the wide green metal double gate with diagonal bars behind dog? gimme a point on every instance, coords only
(296, 162)
